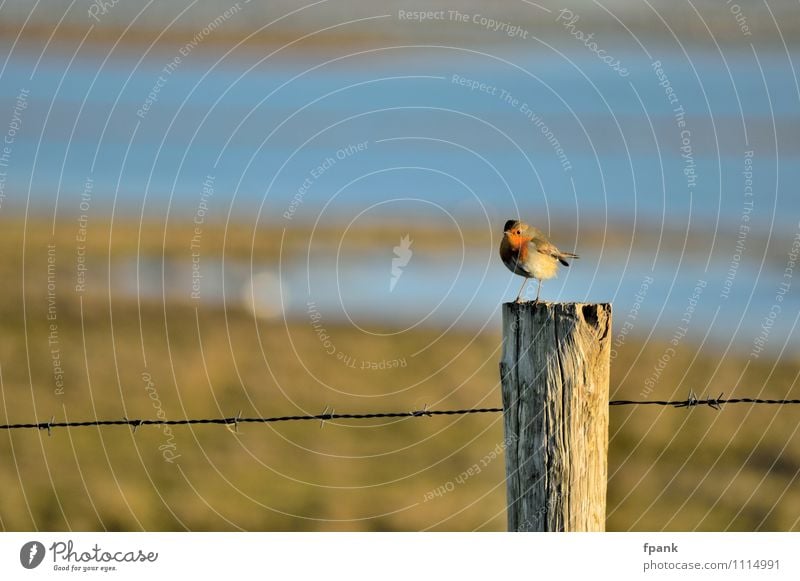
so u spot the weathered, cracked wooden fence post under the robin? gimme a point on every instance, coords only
(554, 373)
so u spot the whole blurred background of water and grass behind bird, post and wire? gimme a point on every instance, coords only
(280, 208)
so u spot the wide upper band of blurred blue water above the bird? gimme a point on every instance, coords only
(260, 128)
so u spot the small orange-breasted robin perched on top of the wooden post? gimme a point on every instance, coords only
(526, 251)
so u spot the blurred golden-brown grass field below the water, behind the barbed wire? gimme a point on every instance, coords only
(696, 469)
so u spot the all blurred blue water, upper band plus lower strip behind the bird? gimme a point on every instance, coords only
(431, 148)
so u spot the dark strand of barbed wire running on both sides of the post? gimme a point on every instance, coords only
(691, 401)
